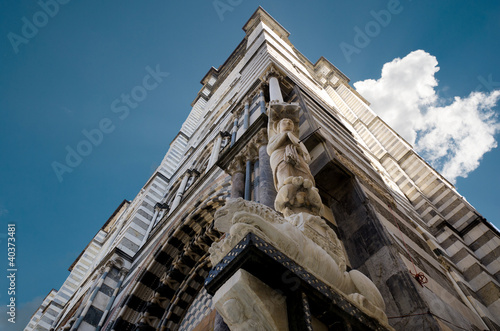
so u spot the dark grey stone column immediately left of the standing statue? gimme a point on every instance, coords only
(267, 192)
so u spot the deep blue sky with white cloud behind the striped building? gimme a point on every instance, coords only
(63, 78)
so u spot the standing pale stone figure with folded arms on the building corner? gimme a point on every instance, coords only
(289, 161)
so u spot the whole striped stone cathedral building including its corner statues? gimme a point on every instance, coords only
(284, 202)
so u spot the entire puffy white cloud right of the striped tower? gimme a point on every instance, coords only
(452, 136)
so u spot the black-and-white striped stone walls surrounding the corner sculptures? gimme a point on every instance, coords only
(432, 256)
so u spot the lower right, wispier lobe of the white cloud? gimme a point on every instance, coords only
(456, 137)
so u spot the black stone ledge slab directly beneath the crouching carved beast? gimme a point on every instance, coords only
(282, 274)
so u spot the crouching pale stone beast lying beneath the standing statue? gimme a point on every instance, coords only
(305, 240)
